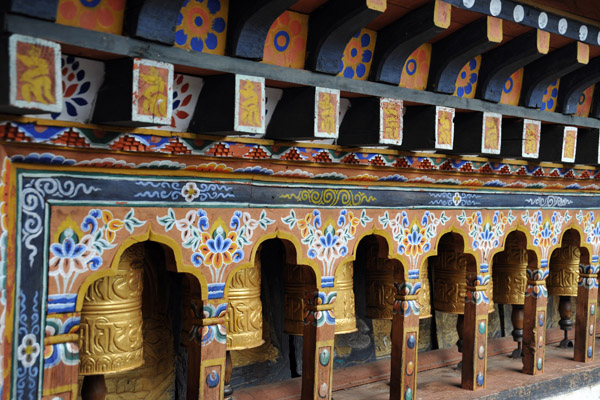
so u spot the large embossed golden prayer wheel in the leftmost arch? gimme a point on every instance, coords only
(111, 338)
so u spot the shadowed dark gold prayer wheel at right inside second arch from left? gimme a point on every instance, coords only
(297, 280)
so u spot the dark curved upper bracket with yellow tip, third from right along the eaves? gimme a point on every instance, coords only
(498, 64)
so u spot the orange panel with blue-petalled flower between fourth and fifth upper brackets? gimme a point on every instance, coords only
(358, 55)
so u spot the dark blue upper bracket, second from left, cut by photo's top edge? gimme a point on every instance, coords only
(154, 19)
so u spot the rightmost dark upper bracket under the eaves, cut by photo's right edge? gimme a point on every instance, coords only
(573, 84)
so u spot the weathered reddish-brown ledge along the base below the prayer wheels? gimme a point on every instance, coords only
(439, 379)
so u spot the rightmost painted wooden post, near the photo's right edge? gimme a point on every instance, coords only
(587, 299)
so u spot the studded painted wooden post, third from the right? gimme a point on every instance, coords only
(474, 361)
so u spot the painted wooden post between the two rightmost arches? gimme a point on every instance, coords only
(534, 325)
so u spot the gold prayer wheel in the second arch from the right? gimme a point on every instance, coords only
(509, 273)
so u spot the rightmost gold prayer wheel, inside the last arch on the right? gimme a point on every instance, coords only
(564, 271)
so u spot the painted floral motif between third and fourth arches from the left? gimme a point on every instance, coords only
(414, 239)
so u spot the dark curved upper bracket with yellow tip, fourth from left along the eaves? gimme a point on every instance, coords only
(332, 26)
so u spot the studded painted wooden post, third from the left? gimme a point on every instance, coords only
(405, 340)
